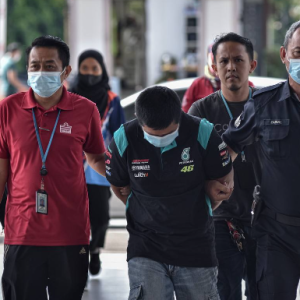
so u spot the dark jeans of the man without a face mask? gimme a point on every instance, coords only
(235, 265)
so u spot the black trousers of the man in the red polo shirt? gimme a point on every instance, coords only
(29, 270)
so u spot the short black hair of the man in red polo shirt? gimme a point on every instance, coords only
(50, 41)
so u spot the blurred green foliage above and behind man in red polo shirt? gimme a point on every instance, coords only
(29, 19)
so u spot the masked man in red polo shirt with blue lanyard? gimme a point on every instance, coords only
(43, 133)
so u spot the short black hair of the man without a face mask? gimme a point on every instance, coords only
(233, 37)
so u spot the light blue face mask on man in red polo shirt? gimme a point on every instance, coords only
(45, 84)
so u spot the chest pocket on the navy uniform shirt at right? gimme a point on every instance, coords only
(275, 133)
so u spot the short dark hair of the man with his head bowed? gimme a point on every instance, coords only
(158, 107)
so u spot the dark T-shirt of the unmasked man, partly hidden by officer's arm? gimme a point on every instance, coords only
(246, 174)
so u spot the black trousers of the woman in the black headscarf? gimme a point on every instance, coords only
(99, 213)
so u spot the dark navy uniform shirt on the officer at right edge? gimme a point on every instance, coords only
(272, 117)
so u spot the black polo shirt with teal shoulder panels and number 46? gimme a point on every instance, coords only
(168, 215)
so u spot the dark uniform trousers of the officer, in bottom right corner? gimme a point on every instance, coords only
(278, 270)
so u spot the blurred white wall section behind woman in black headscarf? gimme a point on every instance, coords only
(88, 28)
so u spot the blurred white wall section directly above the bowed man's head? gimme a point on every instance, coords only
(165, 32)
